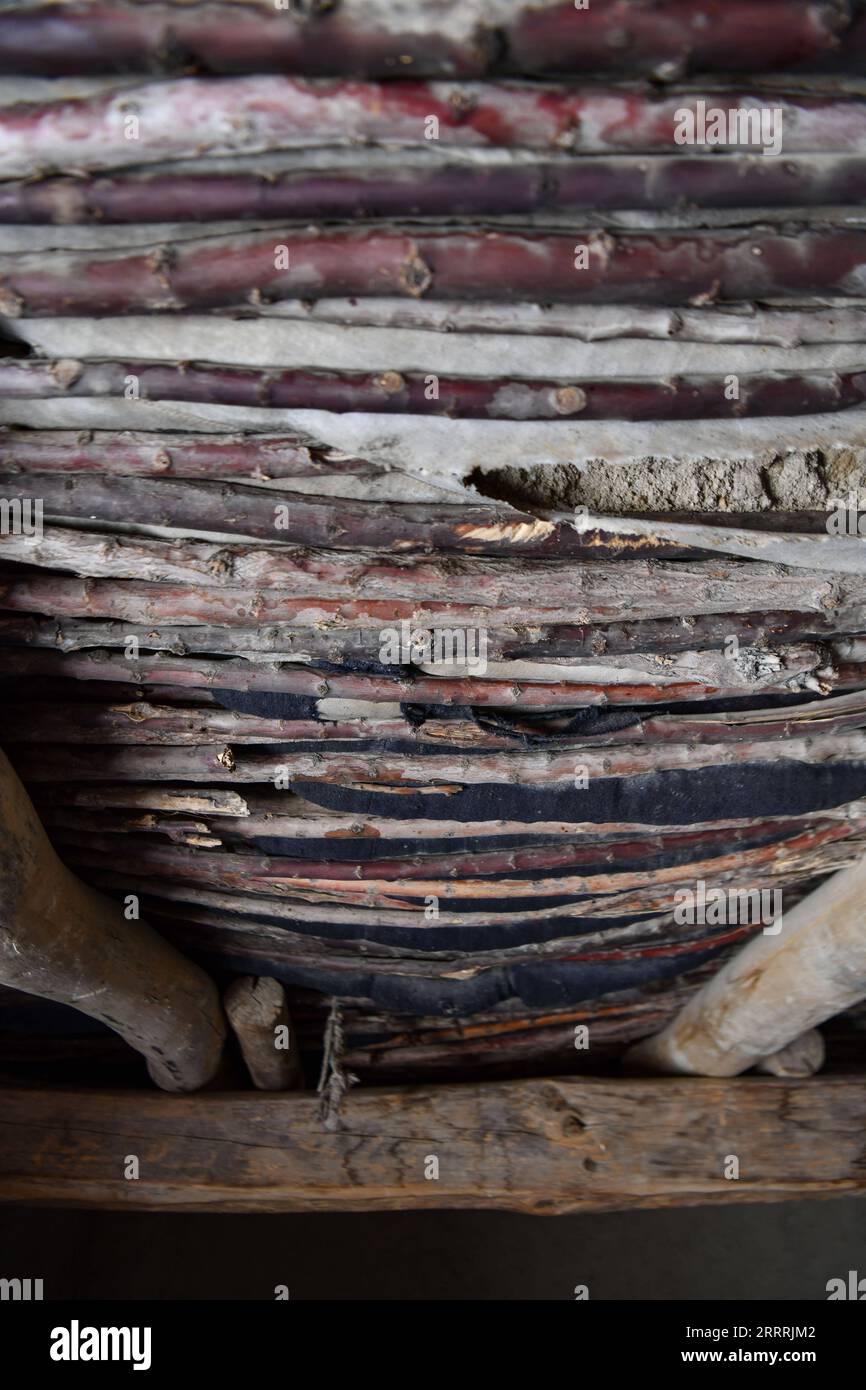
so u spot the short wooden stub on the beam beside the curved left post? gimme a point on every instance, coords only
(259, 1015)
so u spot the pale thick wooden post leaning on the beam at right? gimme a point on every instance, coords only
(772, 992)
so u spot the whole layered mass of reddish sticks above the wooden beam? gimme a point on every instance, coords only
(336, 330)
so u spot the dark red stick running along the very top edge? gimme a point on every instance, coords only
(465, 38)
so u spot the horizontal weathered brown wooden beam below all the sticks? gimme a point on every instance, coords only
(539, 1146)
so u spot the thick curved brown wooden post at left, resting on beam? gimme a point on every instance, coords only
(65, 942)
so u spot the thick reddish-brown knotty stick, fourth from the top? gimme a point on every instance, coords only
(628, 268)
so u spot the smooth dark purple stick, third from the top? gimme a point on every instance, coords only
(138, 198)
